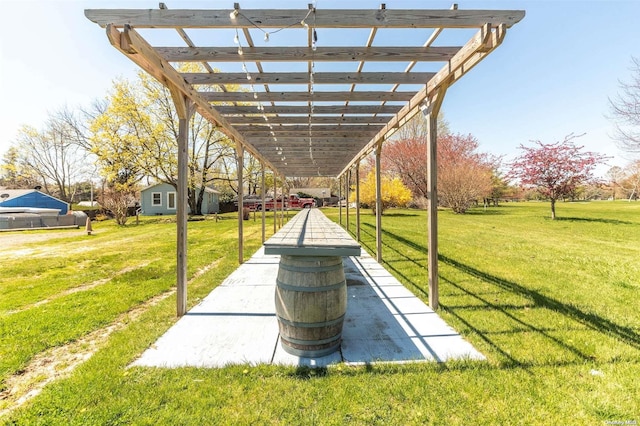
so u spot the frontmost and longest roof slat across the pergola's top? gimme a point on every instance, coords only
(323, 18)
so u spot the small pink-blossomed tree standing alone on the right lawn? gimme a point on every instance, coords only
(555, 170)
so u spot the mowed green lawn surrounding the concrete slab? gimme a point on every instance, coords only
(552, 304)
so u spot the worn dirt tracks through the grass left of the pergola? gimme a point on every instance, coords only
(59, 362)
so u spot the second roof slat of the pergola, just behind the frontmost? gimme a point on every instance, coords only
(297, 54)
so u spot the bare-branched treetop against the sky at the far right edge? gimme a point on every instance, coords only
(625, 110)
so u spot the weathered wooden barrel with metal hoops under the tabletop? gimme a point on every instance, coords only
(311, 301)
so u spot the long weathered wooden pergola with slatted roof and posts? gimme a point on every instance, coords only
(308, 92)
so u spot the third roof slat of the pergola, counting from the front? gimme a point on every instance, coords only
(303, 78)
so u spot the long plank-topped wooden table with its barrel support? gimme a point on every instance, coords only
(311, 290)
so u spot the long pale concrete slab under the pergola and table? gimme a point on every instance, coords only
(236, 323)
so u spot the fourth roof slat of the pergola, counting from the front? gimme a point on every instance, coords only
(305, 96)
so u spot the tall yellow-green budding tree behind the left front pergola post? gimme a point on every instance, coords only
(136, 136)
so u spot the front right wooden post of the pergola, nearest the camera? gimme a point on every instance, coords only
(430, 112)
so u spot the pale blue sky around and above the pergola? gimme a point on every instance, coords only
(551, 76)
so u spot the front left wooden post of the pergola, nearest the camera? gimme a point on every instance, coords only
(184, 107)
